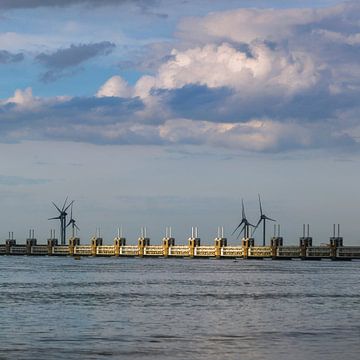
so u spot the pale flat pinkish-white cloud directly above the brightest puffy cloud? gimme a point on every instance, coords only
(246, 25)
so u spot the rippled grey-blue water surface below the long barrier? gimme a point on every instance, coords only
(60, 308)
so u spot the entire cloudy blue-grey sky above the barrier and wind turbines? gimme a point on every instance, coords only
(168, 113)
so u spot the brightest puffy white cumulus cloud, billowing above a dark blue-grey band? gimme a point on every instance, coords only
(224, 66)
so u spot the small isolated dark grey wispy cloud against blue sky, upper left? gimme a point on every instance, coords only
(70, 58)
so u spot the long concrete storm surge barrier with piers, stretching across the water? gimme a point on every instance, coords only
(335, 250)
